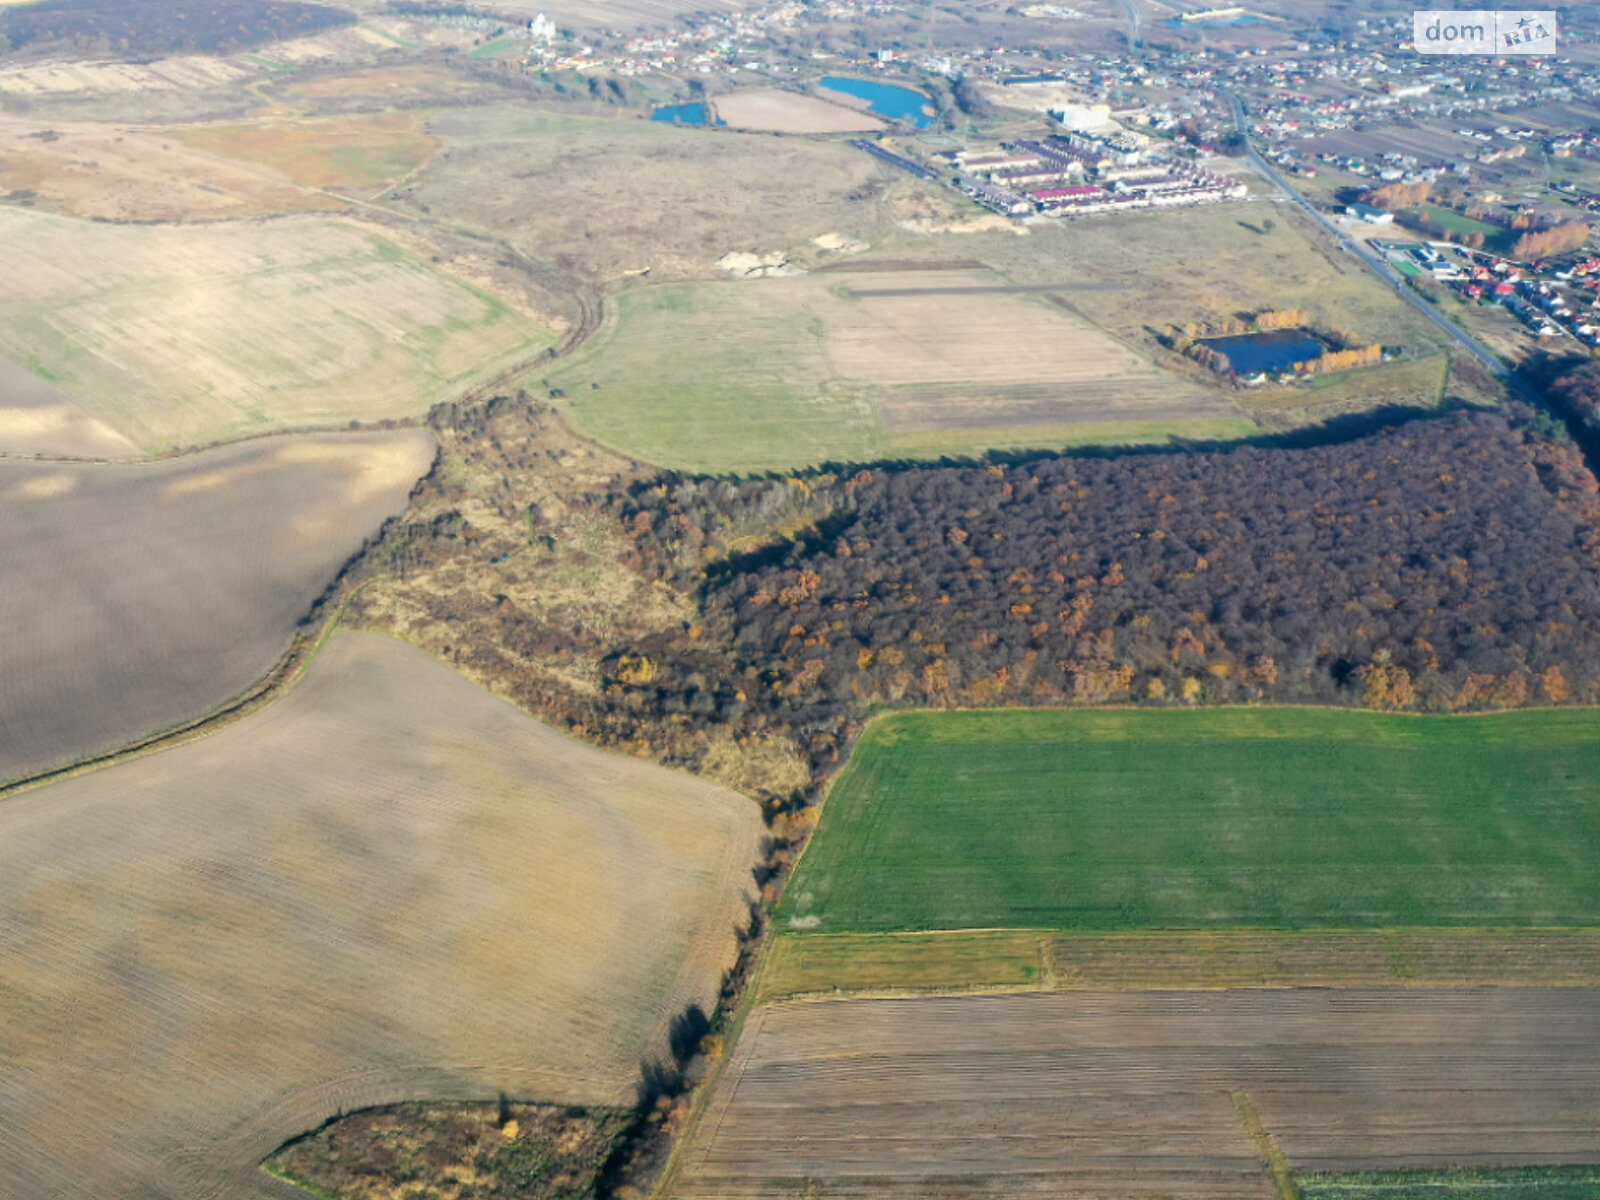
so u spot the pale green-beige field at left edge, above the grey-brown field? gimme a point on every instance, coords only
(186, 335)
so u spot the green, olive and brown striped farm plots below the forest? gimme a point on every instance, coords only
(1242, 948)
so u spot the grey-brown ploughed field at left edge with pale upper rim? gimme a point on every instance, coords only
(142, 596)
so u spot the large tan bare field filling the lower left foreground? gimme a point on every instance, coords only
(386, 886)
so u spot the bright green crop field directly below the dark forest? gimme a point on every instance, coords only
(1263, 818)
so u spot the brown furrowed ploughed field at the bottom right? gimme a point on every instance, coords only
(1140, 1094)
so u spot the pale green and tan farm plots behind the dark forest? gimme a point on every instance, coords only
(788, 372)
